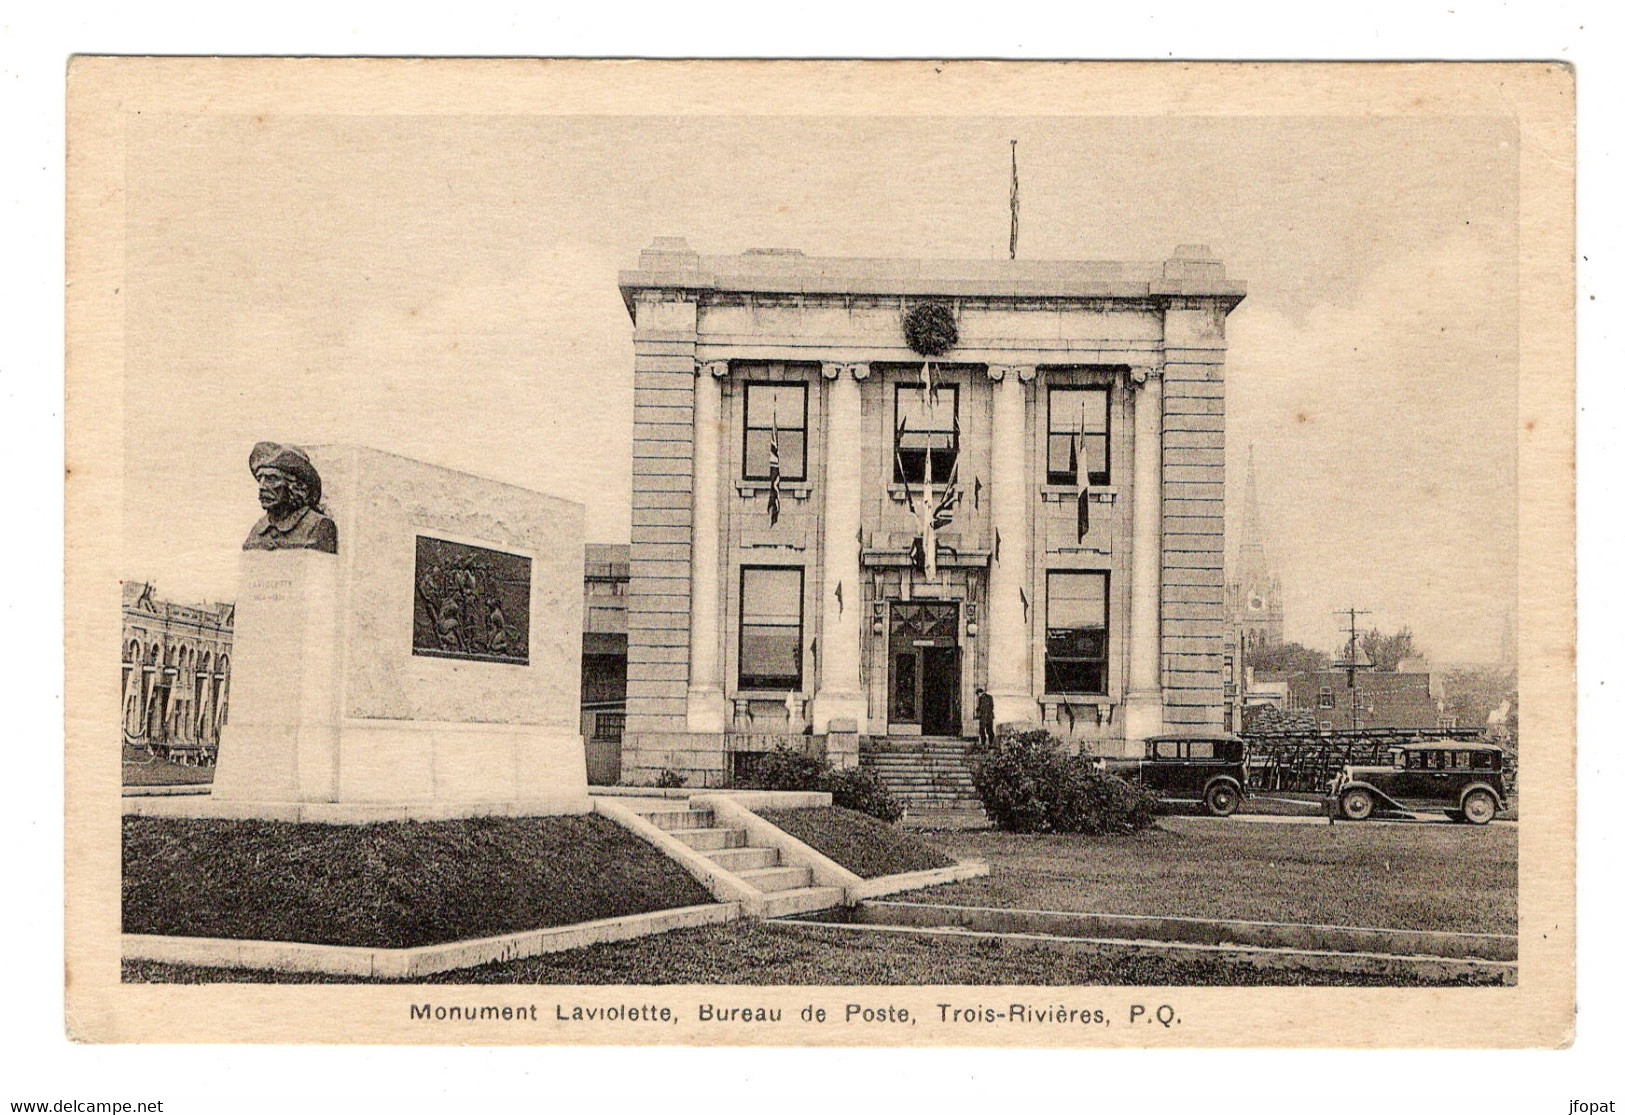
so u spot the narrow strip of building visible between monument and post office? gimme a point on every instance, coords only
(604, 659)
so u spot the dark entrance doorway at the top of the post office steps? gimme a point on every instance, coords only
(925, 667)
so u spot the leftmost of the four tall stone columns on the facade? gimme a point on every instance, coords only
(706, 703)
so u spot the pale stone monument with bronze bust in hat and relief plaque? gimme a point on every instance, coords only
(407, 644)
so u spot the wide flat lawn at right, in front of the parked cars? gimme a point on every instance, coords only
(1374, 875)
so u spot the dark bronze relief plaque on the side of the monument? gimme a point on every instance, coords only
(470, 602)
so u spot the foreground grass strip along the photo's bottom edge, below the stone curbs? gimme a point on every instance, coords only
(766, 955)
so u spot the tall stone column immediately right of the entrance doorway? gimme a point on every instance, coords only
(1010, 625)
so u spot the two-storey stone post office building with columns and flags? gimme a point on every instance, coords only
(1067, 381)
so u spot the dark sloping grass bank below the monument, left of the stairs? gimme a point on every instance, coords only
(394, 885)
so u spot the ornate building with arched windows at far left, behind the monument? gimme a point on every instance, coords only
(176, 674)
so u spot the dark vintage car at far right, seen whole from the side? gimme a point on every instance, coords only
(1457, 778)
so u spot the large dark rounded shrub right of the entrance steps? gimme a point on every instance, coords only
(1031, 784)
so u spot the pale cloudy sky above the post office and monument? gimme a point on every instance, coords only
(446, 289)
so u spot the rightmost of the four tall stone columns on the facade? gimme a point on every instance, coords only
(1143, 701)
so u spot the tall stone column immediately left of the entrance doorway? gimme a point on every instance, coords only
(841, 695)
